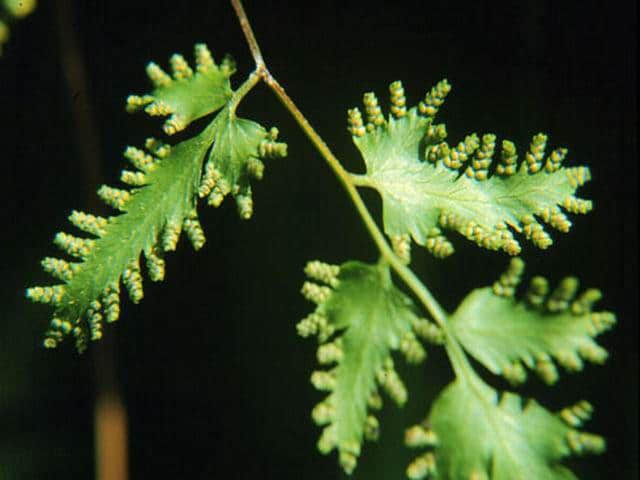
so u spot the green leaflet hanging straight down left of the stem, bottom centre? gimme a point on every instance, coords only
(360, 318)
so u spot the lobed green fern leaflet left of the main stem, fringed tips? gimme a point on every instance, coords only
(166, 184)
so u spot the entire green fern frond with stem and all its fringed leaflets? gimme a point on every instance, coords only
(361, 316)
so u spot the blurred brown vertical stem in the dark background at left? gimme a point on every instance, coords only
(110, 418)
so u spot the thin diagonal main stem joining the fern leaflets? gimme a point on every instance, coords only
(349, 181)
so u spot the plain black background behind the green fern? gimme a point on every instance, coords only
(209, 365)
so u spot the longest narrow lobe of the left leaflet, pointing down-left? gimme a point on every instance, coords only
(155, 215)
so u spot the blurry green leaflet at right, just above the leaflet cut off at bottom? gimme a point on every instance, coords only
(503, 334)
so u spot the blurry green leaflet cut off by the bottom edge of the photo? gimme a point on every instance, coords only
(497, 439)
